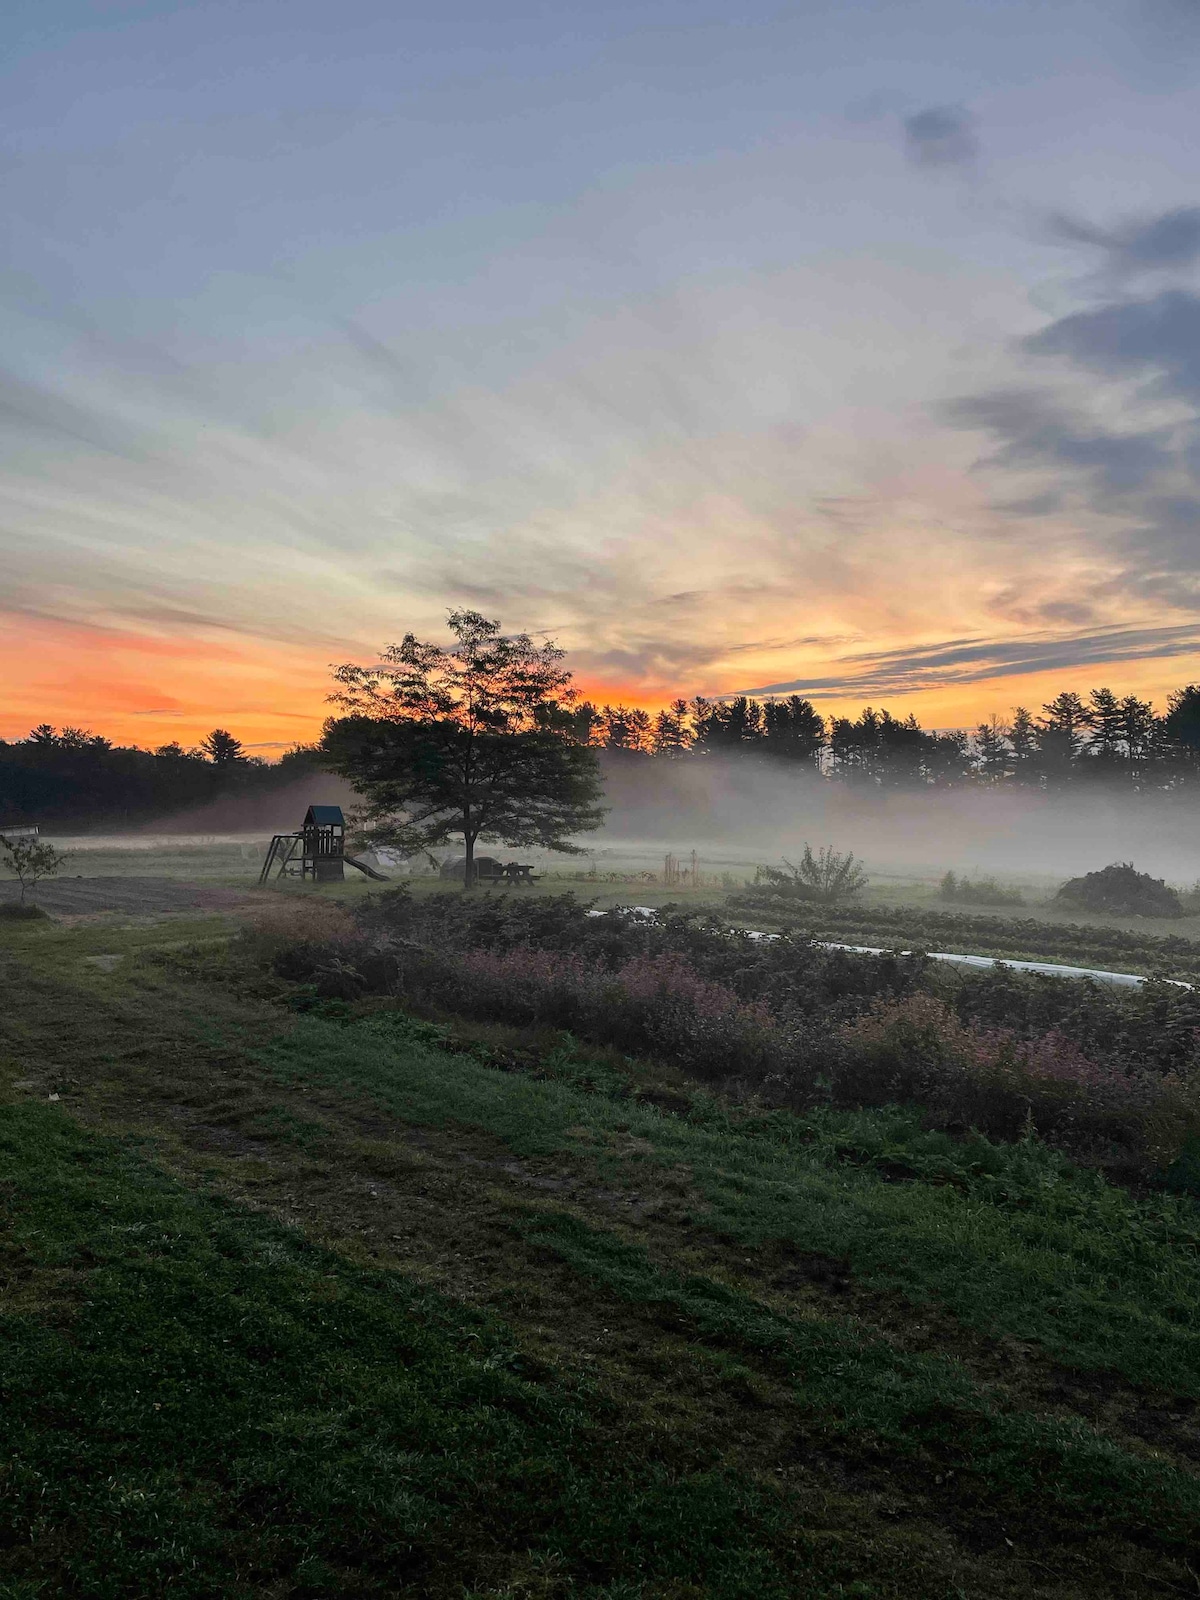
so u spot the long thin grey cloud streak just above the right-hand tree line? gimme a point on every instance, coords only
(977, 660)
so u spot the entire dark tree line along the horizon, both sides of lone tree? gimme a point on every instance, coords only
(62, 775)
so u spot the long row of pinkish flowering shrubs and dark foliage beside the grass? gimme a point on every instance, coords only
(1110, 1076)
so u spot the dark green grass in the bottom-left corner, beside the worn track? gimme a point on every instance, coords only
(199, 1402)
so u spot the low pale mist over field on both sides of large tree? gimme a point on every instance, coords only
(743, 812)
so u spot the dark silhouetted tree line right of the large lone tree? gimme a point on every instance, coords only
(1071, 738)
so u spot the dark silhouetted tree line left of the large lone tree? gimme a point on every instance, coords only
(73, 775)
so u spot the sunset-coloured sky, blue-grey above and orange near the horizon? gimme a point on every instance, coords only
(825, 350)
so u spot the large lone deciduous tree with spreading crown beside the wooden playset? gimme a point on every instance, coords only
(466, 742)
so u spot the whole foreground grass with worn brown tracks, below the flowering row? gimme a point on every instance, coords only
(313, 1308)
